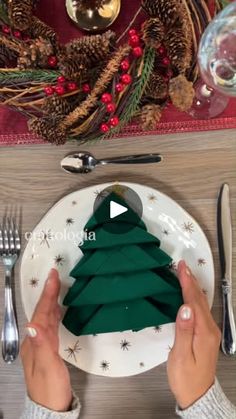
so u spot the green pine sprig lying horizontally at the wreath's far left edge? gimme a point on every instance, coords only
(27, 76)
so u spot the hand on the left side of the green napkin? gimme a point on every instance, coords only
(46, 375)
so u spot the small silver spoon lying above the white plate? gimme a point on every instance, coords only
(84, 162)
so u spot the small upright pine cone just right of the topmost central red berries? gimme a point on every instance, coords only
(153, 32)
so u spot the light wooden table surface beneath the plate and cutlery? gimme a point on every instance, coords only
(195, 166)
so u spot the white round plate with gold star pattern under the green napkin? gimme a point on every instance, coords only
(52, 245)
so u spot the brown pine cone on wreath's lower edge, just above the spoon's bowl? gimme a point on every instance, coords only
(48, 130)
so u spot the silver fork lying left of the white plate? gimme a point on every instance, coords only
(10, 246)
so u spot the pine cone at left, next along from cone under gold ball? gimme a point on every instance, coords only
(34, 55)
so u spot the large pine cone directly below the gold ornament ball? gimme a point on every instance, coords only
(93, 49)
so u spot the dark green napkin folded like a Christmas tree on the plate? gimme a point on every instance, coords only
(123, 281)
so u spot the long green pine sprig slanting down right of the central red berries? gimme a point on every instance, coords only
(133, 102)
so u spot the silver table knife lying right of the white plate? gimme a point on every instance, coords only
(225, 242)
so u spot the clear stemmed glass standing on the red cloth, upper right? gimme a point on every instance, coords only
(217, 62)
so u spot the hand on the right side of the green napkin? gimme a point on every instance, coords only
(192, 362)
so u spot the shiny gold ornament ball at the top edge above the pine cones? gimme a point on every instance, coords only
(93, 20)
